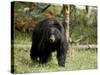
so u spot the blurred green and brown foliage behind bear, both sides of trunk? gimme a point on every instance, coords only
(83, 25)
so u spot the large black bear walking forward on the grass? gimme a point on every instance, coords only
(48, 36)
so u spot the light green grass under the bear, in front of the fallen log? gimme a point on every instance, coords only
(76, 60)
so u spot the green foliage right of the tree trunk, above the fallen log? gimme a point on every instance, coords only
(83, 26)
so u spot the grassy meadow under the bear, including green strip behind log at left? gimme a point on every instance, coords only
(76, 58)
